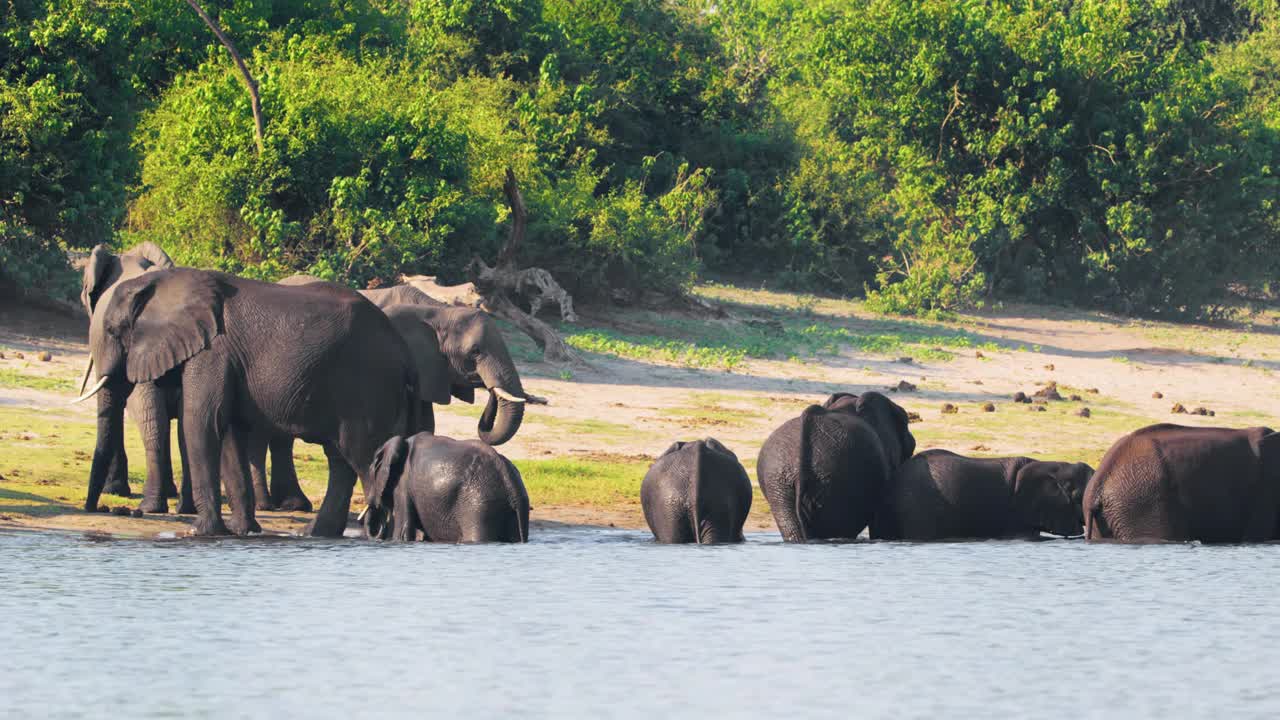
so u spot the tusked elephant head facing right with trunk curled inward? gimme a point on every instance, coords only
(479, 358)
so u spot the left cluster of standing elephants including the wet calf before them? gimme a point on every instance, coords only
(246, 367)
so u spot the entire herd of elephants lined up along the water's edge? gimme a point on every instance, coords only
(248, 367)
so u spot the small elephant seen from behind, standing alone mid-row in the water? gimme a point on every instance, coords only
(697, 493)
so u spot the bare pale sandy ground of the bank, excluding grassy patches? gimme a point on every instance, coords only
(619, 408)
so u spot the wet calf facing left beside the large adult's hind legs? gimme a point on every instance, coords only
(449, 490)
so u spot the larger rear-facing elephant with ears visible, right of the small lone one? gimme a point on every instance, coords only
(825, 472)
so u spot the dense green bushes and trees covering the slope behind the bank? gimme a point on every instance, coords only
(939, 153)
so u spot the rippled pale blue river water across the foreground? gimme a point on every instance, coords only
(589, 623)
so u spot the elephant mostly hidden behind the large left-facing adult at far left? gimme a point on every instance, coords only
(150, 407)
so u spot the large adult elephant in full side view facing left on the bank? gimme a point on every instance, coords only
(312, 362)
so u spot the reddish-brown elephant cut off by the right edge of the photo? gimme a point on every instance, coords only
(1177, 484)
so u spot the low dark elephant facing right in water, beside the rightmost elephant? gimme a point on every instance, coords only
(940, 495)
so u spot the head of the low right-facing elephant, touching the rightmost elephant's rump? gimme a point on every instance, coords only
(1050, 496)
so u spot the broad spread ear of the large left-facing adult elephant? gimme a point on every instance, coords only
(167, 317)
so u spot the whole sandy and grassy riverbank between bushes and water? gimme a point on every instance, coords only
(653, 379)
